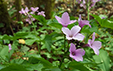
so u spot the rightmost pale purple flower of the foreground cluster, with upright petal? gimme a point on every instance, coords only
(95, 45)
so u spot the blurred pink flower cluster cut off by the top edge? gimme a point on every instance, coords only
(83, 3)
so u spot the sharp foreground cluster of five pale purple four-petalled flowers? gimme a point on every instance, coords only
(74, 34)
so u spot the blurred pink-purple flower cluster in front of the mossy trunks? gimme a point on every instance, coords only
(33, 11)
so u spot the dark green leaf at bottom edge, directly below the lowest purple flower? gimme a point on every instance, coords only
(77, 65)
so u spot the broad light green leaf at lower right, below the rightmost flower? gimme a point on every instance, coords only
(104, 59)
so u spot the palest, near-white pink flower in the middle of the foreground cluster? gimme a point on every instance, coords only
(73, 33)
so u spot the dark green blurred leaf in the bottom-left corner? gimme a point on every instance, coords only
(14, 67)
